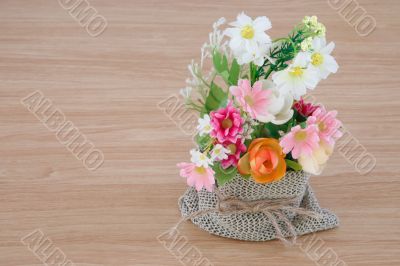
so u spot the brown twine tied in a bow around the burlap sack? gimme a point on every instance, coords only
(272, 208)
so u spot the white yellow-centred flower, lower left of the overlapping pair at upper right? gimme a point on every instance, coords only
(297, 78)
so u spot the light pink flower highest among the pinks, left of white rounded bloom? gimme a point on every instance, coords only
(254, 100)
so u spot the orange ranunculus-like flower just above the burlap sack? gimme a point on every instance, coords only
(264, 161)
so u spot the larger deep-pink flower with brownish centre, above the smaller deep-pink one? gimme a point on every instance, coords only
(227, 124)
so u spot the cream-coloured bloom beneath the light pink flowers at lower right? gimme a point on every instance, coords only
(316, 162)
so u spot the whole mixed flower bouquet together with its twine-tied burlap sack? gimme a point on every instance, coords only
(258, 140)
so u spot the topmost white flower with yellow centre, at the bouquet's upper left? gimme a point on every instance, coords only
(249, 42)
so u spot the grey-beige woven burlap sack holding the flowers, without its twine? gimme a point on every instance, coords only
(256, 226)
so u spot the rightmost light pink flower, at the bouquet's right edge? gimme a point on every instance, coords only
(327, 124)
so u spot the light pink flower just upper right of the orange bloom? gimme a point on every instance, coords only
(300, 141)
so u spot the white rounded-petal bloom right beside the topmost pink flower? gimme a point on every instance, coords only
(280, 106)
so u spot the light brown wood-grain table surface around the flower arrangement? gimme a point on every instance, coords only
(109, 87)
